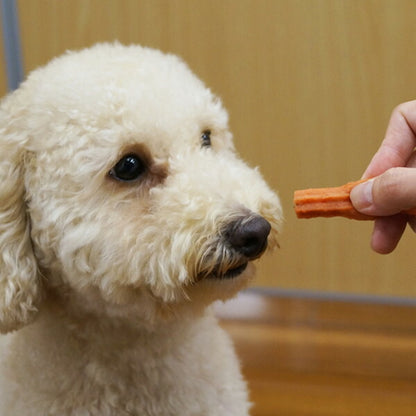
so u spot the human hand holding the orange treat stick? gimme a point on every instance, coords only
(393, 187)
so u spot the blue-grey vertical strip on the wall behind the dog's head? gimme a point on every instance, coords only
(11, 39)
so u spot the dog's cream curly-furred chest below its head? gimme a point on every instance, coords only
(191, 371)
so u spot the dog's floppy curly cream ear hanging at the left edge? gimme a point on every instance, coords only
(20, 291)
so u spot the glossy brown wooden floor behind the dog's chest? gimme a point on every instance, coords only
(305, 357)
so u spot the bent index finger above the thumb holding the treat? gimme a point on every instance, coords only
(399, 142)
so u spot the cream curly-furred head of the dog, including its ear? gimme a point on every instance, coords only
(119, 182)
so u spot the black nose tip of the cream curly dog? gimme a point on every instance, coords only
(248, 236)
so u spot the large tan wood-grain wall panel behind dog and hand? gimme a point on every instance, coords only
(309, 85)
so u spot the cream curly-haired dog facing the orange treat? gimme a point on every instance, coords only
(124, 213)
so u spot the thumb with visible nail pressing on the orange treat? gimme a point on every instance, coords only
(390, 193)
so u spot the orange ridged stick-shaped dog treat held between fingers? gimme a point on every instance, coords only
(330, 202)
